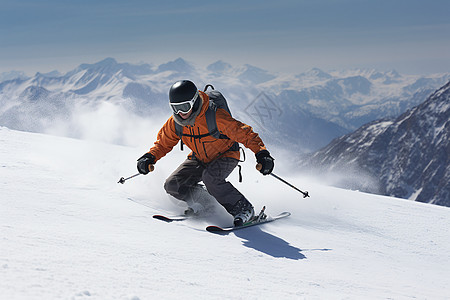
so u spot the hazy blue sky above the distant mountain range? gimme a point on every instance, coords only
(410, 36)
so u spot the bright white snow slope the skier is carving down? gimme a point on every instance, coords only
(69, 231)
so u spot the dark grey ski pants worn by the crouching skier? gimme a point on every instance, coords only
(183, 182)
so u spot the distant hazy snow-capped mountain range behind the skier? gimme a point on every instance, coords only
(303, 111)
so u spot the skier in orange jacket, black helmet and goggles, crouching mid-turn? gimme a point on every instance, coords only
(212, 159)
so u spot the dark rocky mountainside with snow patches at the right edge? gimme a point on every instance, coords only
(406, 157)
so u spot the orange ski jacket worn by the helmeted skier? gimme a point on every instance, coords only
(208, 148)
